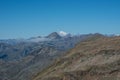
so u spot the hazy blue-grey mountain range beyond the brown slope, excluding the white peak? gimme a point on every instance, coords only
(22, 60)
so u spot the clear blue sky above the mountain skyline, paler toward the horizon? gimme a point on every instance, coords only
(28, 18)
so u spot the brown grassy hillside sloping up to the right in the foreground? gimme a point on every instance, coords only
(93, 59)
